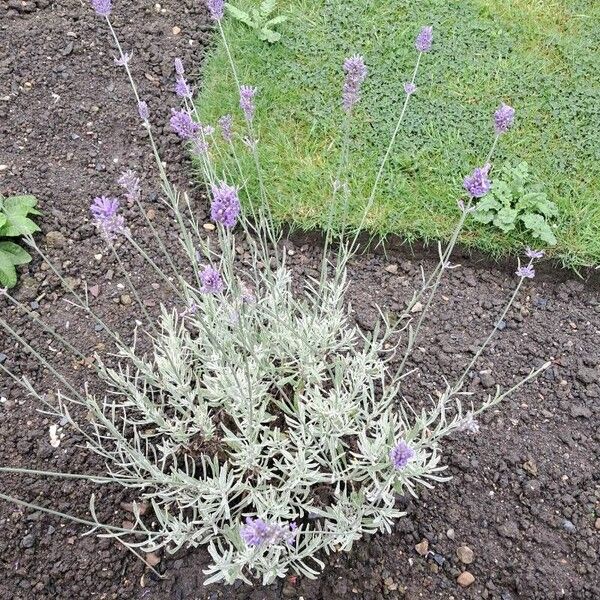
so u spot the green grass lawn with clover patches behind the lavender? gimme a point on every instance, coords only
(540, 56)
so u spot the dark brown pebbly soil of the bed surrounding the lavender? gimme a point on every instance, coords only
(525, 493)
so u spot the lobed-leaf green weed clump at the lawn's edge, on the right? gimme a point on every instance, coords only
(515, 201)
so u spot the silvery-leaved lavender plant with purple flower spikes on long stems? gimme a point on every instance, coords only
(264, 424)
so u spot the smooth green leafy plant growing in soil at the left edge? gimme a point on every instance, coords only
(15, 222)
